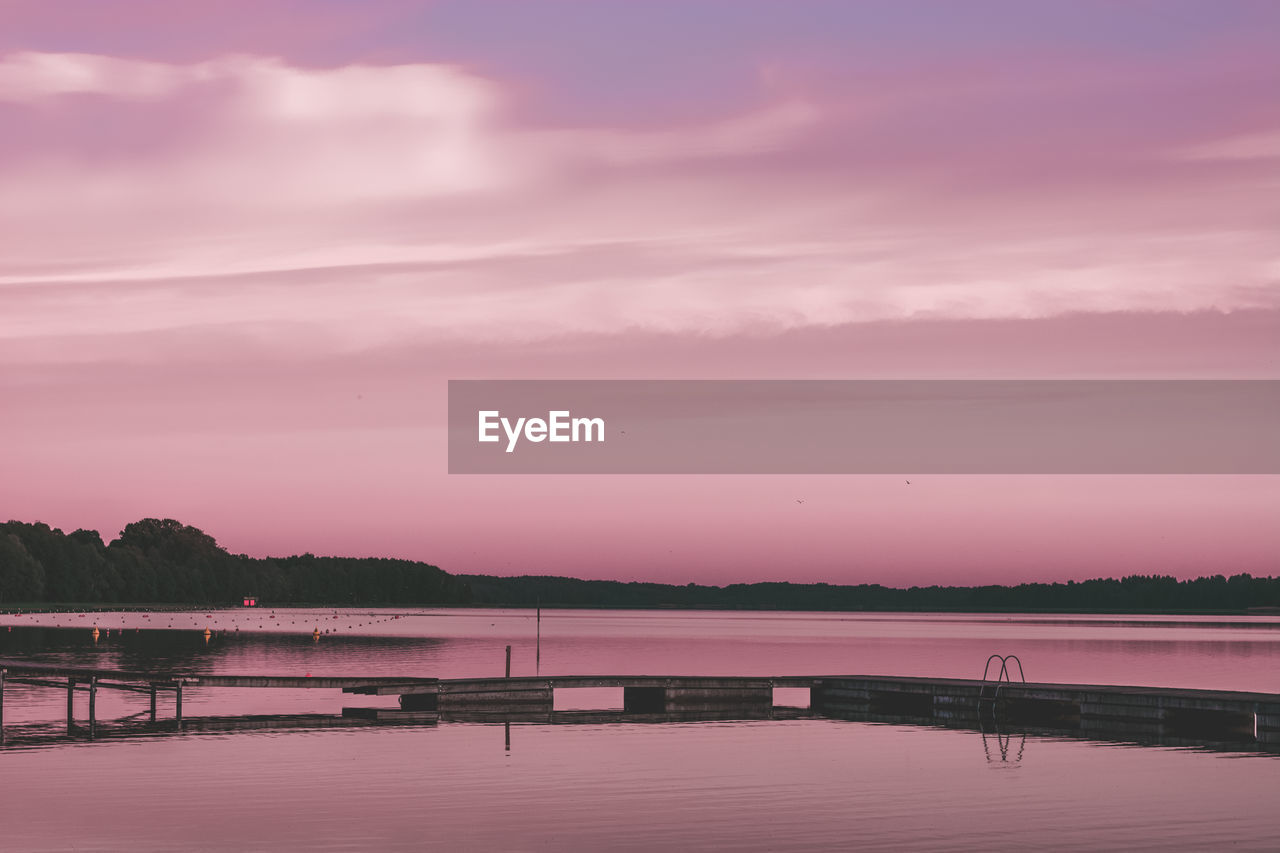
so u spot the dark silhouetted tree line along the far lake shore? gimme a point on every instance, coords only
(166, 562)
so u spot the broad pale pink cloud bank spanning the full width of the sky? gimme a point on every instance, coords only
(369, 203)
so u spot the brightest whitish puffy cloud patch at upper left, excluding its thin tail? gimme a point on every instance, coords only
(268, 133)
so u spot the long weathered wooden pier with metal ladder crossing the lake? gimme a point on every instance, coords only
(1095, 711)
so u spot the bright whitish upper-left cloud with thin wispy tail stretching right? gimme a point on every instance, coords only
(280, 134)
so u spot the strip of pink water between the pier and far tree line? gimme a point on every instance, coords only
(1233, 654)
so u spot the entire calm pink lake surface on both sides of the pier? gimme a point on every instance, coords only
(781, 784)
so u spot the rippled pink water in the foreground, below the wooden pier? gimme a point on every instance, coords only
(783, 784)
